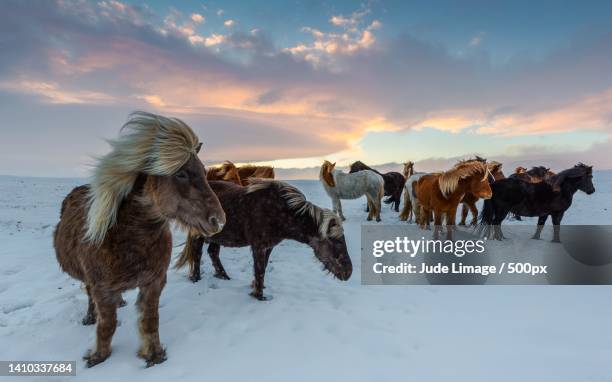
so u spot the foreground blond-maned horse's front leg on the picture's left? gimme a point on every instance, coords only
(106, 307)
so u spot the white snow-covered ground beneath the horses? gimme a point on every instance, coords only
(314, 327)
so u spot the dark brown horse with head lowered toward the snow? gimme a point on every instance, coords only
(261, 215)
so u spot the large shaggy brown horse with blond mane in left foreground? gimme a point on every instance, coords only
(114, 234)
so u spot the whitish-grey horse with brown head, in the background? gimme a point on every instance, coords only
(339, 185)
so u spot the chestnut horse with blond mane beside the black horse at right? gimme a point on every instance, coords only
(442, 193)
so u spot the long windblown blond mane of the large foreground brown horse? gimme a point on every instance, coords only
(148, 143)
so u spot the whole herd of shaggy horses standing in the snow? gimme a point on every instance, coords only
(114, 233)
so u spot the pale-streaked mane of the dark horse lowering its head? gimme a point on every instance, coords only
(297, 202)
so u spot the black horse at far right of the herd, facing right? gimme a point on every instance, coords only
(535, 199)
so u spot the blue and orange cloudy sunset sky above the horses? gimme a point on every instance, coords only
(290, 83)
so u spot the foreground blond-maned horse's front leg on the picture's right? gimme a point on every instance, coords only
(151, 349)
